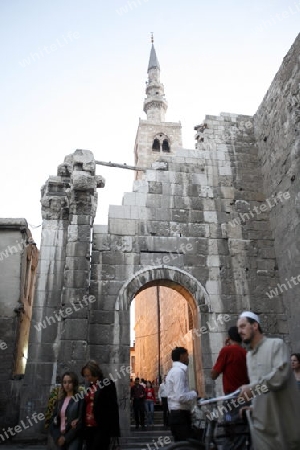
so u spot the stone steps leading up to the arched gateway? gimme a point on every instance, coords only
(152, 438)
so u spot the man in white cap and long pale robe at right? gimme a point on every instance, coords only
(275, 413)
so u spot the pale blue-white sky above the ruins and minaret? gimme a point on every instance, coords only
(86, 87)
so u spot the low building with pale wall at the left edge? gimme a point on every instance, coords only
(18, 264)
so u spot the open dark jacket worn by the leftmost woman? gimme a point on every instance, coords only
(74, 411)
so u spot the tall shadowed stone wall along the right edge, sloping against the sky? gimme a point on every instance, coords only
(277, 130)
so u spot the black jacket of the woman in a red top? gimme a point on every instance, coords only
(106, 408)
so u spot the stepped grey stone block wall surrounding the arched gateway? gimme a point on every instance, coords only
(202, 213)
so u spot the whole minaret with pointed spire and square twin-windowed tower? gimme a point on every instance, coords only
(155, 138)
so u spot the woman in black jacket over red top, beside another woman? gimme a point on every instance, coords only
(101, 410)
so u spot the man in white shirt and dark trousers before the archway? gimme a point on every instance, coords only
(180, 398)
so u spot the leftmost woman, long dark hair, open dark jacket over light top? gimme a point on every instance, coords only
(66, 421)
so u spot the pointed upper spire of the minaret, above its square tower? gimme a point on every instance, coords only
(155, 105)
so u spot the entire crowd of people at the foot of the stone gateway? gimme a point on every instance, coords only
(266, 375)
